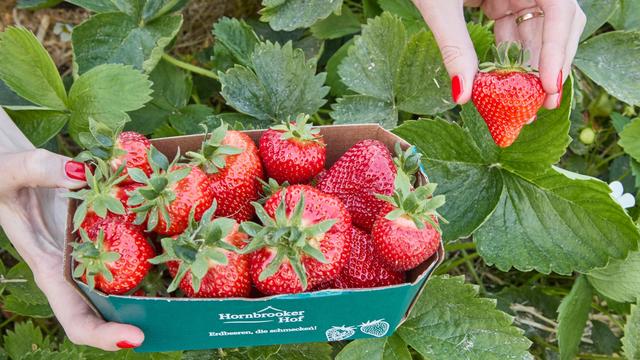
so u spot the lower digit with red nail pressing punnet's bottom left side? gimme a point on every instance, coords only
(81, 324)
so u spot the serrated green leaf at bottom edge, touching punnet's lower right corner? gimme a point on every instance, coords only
(450, 321)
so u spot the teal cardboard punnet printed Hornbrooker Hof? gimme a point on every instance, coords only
(173, 324)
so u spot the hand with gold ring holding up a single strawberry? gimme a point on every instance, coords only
(552, 39)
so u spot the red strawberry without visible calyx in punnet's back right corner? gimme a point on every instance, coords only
(363, 171)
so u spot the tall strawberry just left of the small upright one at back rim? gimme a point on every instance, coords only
(231, 160)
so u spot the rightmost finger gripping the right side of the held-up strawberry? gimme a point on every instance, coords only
(557, 31)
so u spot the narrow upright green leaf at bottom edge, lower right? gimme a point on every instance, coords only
(572, 318)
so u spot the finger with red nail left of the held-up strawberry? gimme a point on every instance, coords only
(446, 21)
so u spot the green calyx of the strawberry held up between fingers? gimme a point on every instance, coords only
(510, 56)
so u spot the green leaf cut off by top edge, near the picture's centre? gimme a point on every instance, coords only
(293, 14)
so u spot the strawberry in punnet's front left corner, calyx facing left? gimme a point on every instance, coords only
(112, 256)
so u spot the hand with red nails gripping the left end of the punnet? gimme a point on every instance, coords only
(33, 215)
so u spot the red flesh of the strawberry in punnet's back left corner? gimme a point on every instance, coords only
(131, 149)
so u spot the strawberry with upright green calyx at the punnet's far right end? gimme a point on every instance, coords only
(407, 233)
